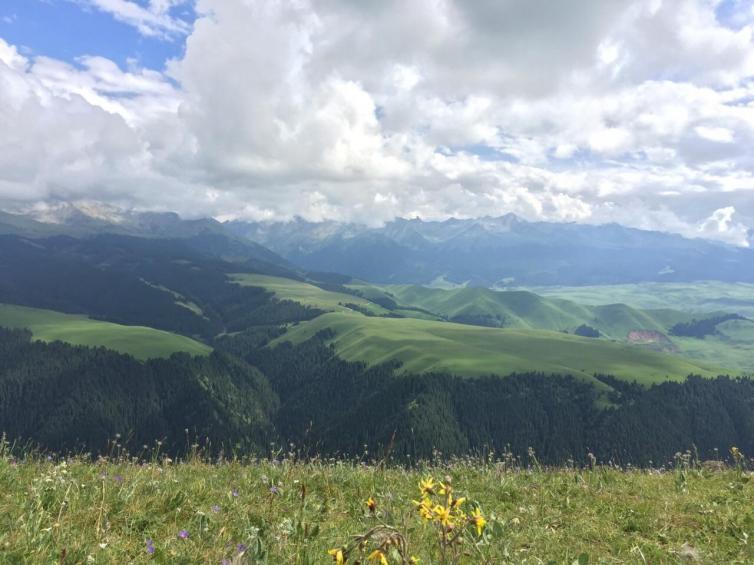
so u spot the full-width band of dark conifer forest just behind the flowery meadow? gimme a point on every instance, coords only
(245, 396)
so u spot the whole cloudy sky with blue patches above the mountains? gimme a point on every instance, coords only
(639, 112)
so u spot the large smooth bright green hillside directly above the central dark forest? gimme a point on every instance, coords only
(424, 345)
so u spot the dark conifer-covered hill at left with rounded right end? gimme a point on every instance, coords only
(63, 397)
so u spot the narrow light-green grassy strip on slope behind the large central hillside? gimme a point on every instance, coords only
(305, 293)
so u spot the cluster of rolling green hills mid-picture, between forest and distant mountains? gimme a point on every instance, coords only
(534, 343)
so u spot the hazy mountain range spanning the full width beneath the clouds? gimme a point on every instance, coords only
(505, 251)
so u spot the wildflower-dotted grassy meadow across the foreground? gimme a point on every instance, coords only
(115, 511)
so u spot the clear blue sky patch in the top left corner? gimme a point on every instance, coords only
(67, 30)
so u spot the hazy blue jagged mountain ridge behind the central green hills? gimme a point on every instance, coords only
(503, 251)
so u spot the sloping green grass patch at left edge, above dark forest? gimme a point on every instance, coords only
(139, 341)
